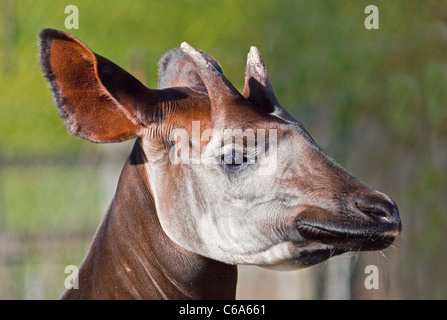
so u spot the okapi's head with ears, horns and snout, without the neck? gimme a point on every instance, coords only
(234, 177)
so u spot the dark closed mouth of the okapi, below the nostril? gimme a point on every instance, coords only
(347, 240)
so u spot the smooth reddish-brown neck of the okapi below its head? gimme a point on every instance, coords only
(132, 258)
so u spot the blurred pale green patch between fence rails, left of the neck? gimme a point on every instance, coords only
(27, 199)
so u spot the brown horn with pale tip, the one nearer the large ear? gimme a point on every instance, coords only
(218, 87)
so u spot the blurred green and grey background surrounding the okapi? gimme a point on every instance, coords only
(375, 100)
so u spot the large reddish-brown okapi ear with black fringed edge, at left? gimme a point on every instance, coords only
(98, 100)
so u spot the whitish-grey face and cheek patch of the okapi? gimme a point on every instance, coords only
(244, 215)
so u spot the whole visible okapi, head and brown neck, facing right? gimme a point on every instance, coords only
(177, 229)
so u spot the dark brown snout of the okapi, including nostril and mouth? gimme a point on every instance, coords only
(367, 220)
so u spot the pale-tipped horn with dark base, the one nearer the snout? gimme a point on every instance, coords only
(258, 89)
